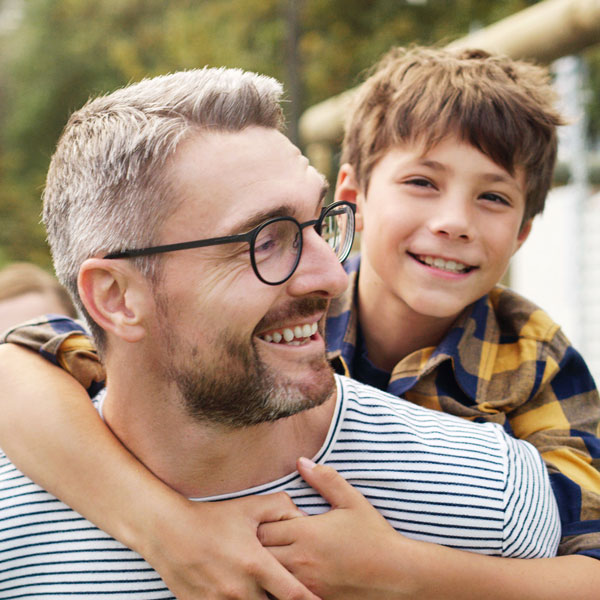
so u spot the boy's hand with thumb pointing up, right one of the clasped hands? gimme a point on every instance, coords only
(350, 552)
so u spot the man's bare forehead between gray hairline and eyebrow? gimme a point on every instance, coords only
(228, 180)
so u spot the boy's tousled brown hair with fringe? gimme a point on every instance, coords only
(503, 107)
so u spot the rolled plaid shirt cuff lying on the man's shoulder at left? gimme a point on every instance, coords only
(65, 343)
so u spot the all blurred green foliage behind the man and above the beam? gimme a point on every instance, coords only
(65, 51)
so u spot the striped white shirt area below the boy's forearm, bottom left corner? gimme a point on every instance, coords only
(40, 531)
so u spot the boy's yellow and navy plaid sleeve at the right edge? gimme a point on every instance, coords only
(562, 421)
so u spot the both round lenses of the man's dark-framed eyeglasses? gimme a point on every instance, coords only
(277, 246)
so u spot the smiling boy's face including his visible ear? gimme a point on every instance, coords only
(438, 229)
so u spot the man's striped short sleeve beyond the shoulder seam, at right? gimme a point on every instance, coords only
(531, 522)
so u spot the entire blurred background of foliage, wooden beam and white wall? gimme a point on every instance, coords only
(55, 54)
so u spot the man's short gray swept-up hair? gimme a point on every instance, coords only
(107, 187)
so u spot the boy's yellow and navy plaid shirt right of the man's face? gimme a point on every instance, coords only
(505, 360)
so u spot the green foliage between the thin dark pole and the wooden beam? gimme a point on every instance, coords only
(342, 38)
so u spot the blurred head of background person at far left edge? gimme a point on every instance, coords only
(27, 291)
